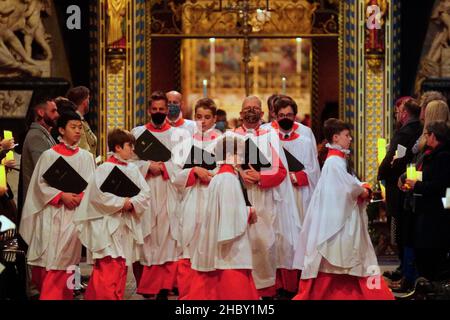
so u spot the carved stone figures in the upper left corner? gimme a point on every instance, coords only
(16, 56)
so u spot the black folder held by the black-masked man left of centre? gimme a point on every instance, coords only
(148, 147)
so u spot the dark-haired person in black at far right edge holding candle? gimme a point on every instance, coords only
(431, 238)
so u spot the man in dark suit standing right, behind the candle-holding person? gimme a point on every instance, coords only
(407, 113)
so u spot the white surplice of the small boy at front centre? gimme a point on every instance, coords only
(224, 241)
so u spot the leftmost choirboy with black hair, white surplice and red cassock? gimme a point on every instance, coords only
(47, 221)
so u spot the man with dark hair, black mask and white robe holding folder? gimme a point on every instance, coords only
(160, 251)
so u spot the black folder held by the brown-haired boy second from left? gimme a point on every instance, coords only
(119, 184)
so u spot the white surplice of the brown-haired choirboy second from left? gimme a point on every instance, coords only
(105, 229)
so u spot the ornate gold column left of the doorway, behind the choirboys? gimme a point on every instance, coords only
(116, 65)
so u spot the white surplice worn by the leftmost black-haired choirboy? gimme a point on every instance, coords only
(49, 231)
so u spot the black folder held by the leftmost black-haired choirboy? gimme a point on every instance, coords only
(63, 177)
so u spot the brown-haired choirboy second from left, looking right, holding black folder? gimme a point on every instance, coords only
(111, 225)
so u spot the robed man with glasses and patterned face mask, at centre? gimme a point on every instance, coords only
(274, 236)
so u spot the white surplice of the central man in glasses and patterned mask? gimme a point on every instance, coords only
(275, 235)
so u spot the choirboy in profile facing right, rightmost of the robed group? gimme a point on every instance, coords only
(337, 258)
